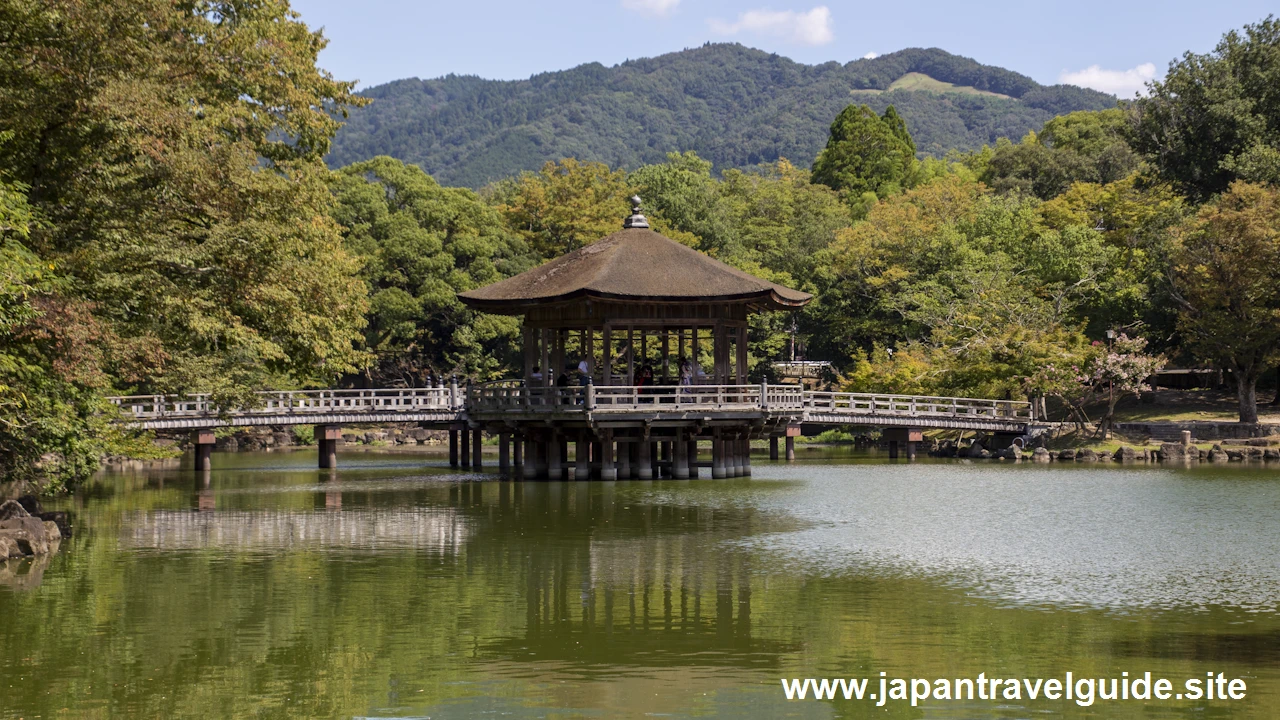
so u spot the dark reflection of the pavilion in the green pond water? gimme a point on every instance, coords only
(621, 581)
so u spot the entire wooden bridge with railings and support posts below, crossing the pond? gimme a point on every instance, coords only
(738, 412)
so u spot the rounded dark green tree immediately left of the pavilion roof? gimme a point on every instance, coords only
(422, 245)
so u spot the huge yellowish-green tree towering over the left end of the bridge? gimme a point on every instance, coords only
(175, 153)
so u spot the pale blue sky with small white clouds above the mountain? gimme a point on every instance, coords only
(1109, 45)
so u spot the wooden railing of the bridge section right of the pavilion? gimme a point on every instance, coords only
(908, 405)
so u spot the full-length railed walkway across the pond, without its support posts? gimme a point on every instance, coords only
(610, 405)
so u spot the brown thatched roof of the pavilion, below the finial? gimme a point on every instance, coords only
(634, 266)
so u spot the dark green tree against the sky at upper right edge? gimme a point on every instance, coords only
(1215, 119)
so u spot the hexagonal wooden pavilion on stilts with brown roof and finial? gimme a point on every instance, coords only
(634, 349)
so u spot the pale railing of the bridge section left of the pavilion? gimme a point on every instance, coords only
(295, 403)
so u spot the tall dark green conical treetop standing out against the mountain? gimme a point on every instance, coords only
(866, 156)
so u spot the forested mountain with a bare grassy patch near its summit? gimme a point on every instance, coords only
(734, 106)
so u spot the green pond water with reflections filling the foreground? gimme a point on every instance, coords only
(399, 589)
